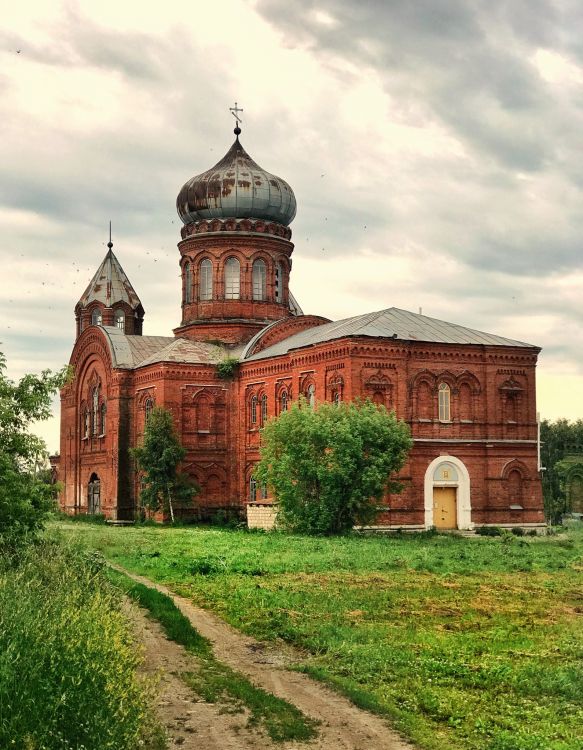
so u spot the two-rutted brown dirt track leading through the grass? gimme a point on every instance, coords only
(198, 725)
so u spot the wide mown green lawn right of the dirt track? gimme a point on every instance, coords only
(461, 643)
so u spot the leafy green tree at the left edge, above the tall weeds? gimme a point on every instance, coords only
(25, 494)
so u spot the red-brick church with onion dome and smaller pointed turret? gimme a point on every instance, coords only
(244, 350)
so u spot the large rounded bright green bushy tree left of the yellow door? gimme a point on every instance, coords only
(329, 467)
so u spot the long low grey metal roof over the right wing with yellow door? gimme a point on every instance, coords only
(393, 323)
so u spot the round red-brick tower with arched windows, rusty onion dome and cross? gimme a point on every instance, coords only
(235, 249)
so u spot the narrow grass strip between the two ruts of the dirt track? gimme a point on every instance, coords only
(214, 681)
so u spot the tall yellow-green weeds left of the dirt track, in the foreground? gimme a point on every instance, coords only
(68, 660)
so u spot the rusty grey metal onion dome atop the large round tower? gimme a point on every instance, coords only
(237, 188)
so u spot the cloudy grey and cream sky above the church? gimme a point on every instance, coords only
(435, 149)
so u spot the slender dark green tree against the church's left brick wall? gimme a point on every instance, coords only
(158, 458)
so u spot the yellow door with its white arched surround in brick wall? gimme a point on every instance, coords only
(447, 494)
